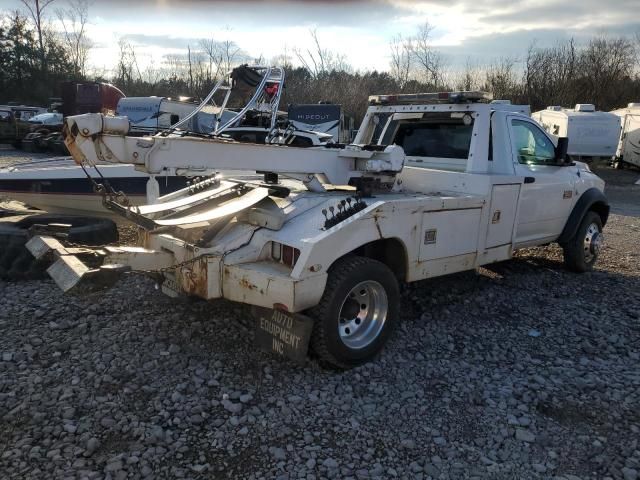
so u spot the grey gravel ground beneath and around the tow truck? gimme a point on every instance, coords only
(519, 371)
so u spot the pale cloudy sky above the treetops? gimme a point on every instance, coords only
(475, 31)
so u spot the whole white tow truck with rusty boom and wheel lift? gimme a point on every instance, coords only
(320, 245)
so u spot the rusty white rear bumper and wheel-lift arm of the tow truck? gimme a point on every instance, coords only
(264, 283)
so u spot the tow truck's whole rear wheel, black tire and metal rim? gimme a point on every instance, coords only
(357, 312)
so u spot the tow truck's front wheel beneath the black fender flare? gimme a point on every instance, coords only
(578, 255)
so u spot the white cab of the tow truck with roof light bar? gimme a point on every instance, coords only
(493, 151)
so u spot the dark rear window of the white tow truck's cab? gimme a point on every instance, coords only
(434, 135)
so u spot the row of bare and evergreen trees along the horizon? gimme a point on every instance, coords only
(37, 54)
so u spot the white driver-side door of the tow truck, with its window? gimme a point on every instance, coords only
(547, 194)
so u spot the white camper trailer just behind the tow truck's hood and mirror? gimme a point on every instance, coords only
(591, 133)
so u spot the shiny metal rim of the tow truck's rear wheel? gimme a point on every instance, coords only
(362, 314)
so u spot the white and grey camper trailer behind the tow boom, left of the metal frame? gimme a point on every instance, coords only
(150, 114)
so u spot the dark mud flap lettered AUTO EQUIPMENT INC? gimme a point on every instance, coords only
(283, 333)
